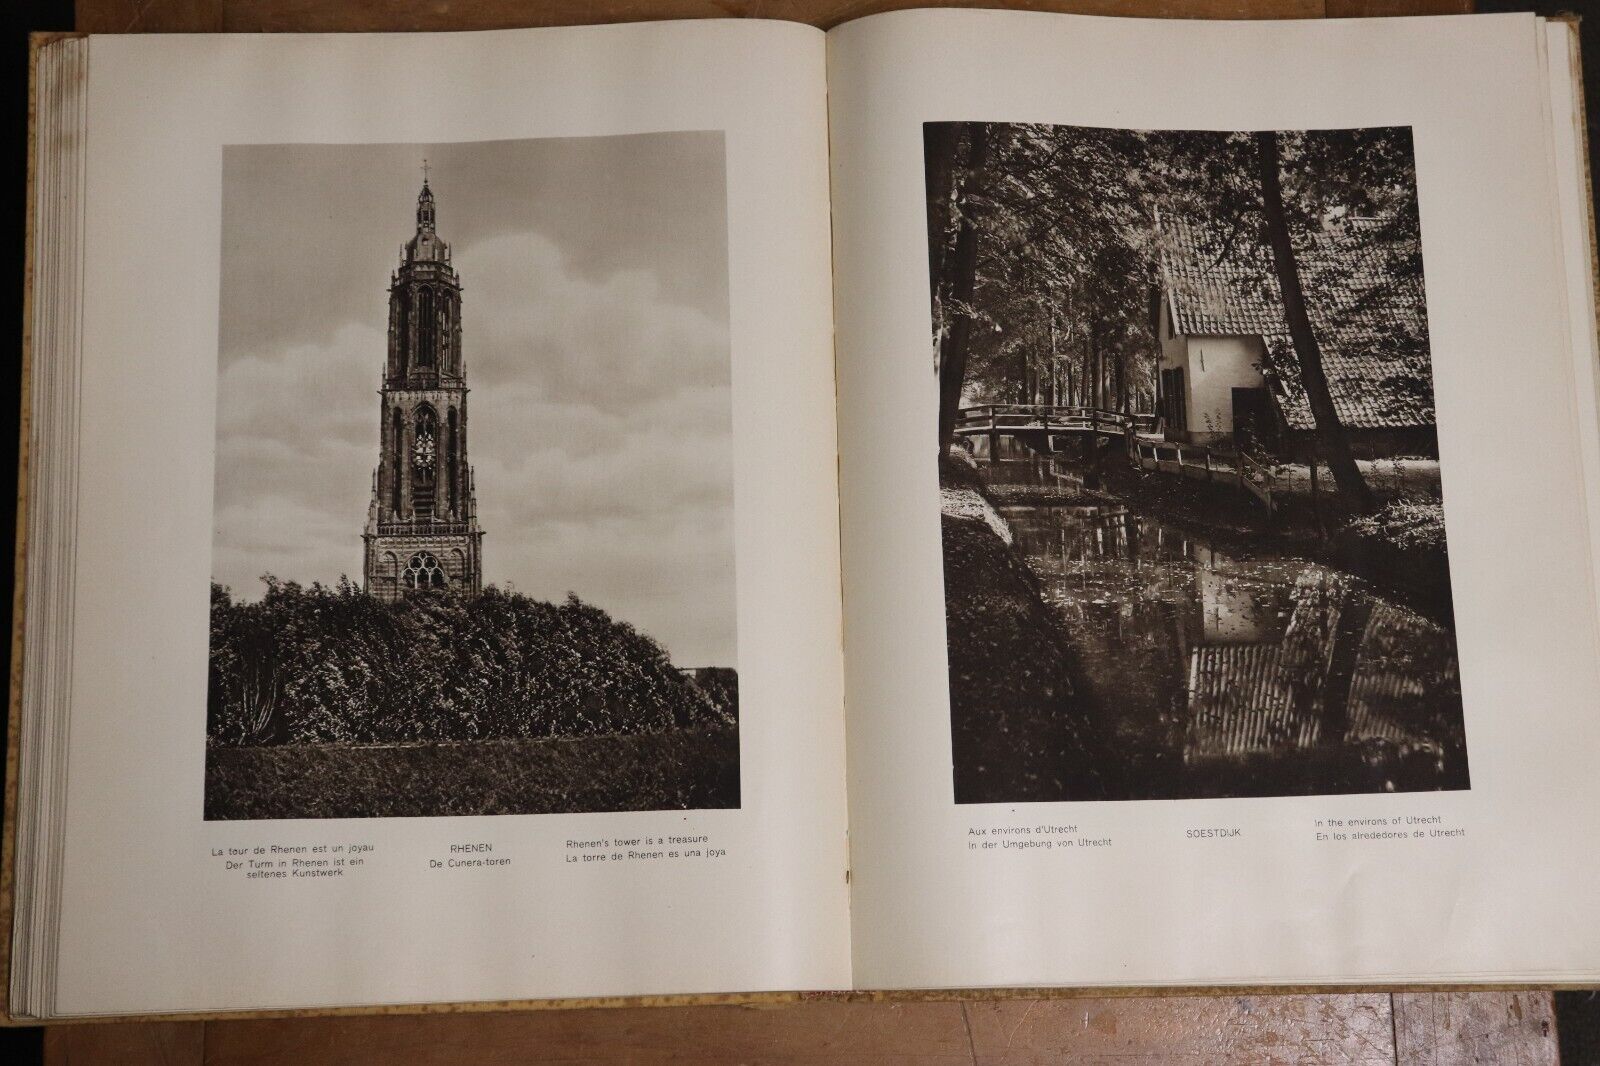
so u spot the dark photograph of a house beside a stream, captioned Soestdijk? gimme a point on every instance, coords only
(1191, 495)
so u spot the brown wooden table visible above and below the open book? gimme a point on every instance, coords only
(1370, 1028)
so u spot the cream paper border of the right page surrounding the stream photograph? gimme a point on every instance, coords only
(1230, 891)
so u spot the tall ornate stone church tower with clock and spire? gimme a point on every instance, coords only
(423, 524)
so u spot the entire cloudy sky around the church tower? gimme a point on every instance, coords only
(596, 337)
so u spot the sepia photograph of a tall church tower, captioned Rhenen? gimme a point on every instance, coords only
(529, 611)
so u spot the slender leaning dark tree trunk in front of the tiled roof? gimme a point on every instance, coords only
(1330, 433)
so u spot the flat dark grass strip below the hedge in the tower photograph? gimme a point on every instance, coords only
(676, 771)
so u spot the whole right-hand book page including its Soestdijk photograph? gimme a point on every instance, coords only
(1218, 590)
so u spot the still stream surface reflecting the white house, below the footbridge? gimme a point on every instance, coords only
(1212, 675)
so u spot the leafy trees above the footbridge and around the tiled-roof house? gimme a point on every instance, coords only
(1042, 247)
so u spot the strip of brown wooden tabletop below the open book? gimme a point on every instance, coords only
(1372, 1030)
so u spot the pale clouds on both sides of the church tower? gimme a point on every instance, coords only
(599, 430)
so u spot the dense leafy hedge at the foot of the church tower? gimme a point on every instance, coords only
(318, 665)
